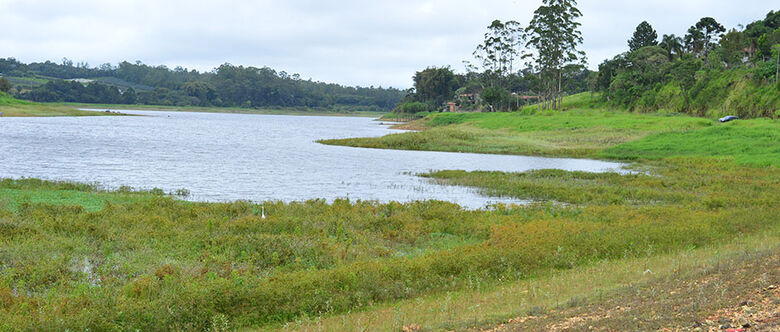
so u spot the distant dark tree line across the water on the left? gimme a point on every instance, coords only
(226, 86)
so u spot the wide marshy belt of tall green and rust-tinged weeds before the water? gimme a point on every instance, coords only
(154, 262)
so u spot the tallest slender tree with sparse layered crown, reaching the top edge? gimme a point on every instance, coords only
(554, 34)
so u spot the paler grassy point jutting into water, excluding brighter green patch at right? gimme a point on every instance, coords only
(579, 132)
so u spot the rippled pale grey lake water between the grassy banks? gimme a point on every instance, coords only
(222, 157)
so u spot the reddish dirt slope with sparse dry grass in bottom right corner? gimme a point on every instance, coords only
(740, 294)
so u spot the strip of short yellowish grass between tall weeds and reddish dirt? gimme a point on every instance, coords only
(552, 296)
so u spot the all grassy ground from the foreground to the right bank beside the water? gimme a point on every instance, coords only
(77, 257)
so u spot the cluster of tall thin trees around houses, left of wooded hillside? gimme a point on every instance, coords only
(514, 65)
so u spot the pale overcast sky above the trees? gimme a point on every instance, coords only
(349, 42)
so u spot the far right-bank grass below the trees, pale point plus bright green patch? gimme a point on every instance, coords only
(586, 132)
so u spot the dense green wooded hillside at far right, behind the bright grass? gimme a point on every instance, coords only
(707, 68)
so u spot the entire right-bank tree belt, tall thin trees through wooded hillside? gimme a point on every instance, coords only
(707, 68)
